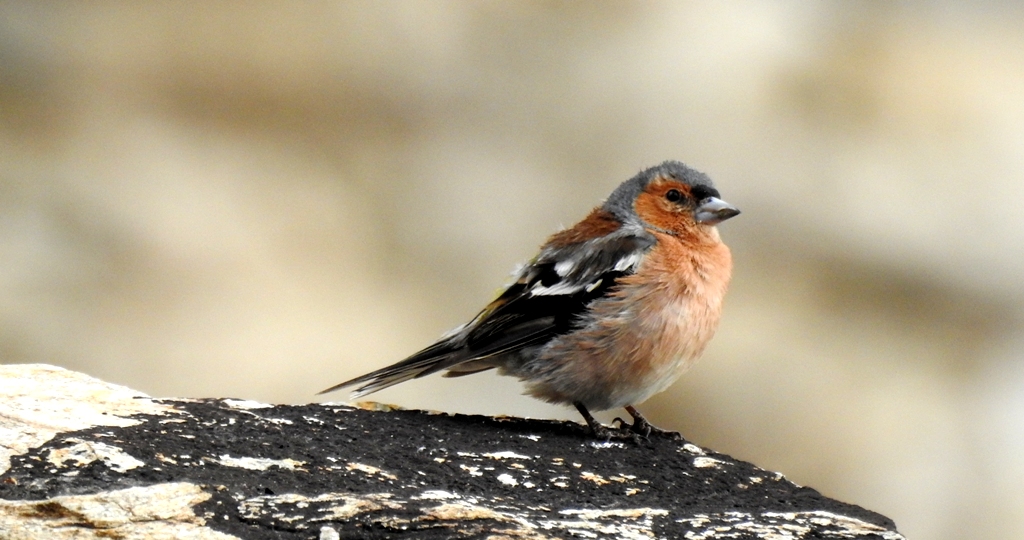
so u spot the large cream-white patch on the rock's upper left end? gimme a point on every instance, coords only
(40, 401)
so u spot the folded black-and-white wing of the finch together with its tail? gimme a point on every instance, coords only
(546, 300)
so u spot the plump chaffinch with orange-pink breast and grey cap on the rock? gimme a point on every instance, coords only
(611, 311)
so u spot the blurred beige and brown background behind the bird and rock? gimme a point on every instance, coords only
(263, 199)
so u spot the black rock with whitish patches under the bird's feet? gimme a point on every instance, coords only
(86, 460)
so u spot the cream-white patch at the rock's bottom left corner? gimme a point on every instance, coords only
(163, 511)
